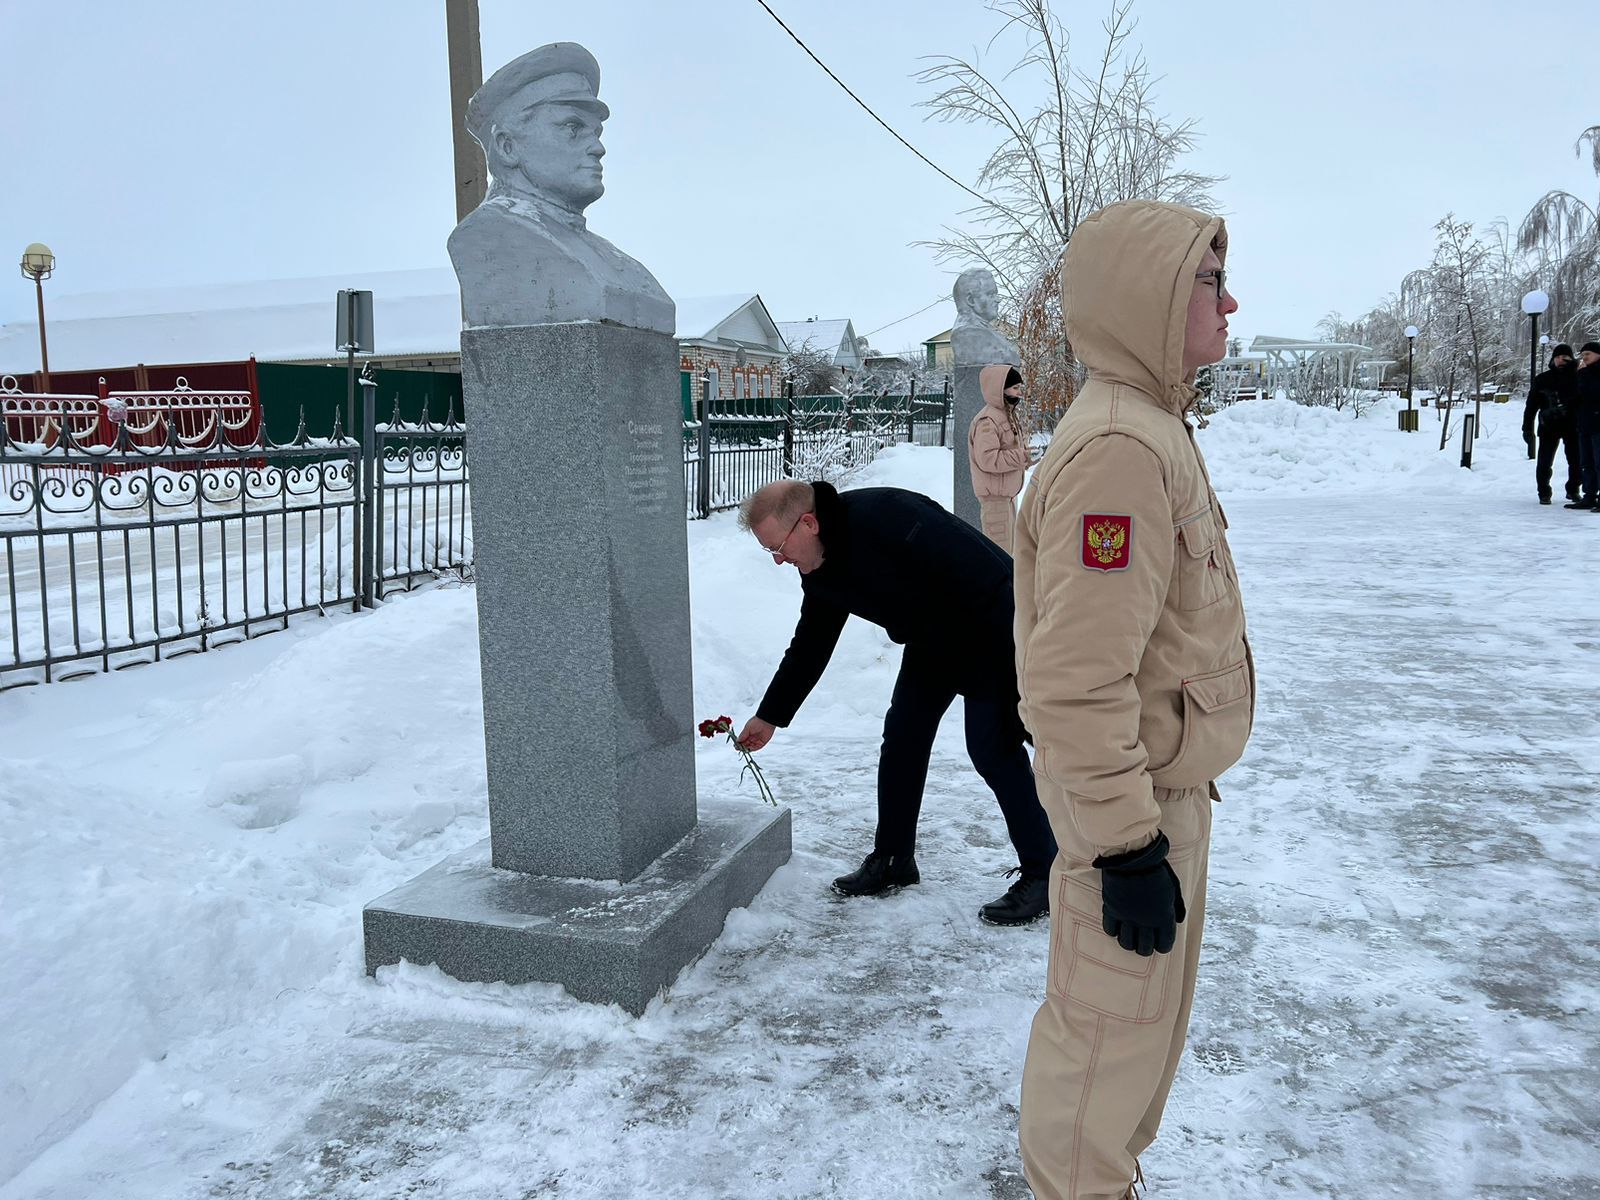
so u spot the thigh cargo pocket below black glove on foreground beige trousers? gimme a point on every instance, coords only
(1090, 969)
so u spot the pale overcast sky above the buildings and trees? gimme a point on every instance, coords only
(186, 142)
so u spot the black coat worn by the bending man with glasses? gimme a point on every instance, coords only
(897, 559)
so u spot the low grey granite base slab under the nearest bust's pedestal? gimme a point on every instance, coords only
(604, 942)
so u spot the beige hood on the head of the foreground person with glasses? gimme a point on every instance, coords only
(1126, 287)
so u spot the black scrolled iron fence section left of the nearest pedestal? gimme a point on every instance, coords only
(142, 530)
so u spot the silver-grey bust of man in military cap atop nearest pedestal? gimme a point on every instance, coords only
(526, 255)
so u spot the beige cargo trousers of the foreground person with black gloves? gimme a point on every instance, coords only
(1108, 1039)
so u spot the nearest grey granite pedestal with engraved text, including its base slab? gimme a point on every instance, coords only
(598, 874)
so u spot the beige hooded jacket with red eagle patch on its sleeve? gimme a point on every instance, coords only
(1130, 633)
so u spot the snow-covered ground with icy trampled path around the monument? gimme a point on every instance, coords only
(1399, 993)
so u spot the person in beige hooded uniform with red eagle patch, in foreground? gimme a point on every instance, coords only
(1137, 684)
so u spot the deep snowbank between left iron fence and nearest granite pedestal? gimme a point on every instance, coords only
(185, 842)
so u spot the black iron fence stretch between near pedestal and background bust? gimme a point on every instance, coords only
(737, 447)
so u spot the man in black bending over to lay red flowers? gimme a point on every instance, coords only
(943, 591)
